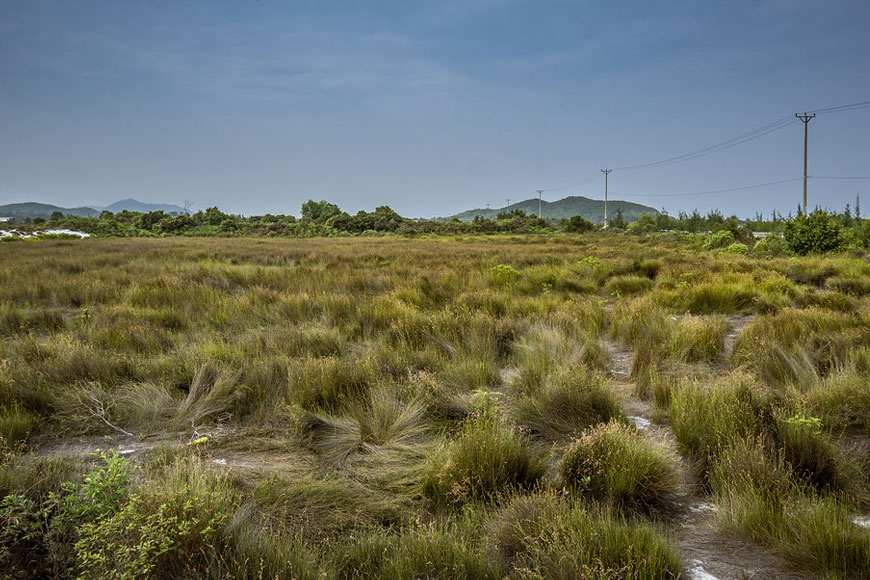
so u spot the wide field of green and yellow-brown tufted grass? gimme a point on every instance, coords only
(555, 406)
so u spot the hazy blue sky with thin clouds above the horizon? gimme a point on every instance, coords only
(431, 107)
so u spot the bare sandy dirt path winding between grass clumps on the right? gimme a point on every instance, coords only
(706, 554)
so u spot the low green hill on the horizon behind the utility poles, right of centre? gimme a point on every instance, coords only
(590, 209)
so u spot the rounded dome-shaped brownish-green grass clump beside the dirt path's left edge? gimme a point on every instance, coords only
(614, 463)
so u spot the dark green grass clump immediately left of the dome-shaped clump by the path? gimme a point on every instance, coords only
(485, 460)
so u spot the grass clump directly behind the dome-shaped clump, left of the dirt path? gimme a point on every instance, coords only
(570, 400)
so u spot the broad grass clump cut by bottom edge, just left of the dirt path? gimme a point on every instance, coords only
(549, 536)
